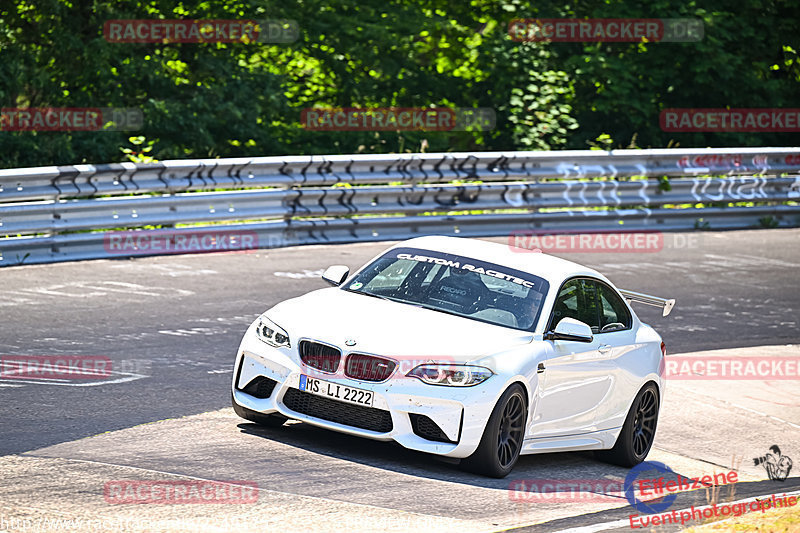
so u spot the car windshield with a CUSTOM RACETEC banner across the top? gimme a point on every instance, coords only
(456, 285)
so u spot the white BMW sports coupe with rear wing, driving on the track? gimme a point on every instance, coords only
(462, 348)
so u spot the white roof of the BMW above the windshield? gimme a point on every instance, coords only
(555, 270)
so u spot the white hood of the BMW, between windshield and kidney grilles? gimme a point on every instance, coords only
(390, 328)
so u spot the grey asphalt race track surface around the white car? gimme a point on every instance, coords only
(171, 326)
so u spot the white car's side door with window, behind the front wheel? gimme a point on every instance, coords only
(574, 379)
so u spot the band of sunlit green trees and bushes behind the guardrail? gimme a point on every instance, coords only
(245, 99)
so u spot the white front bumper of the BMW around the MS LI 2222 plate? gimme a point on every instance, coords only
(401, 404)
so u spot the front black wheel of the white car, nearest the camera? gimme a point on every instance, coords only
(501, 443)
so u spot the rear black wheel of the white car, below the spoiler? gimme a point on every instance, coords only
(636, 438)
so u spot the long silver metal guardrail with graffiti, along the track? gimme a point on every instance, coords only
(65, 213)
